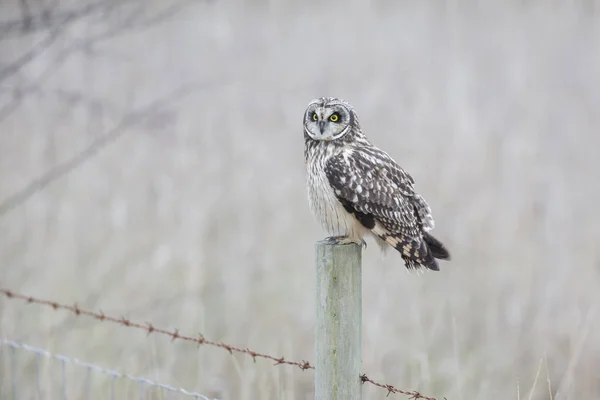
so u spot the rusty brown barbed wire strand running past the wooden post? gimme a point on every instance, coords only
(199, 340)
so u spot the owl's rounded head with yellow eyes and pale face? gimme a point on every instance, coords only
(329, 118)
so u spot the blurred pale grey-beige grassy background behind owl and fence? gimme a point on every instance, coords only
(193, 214)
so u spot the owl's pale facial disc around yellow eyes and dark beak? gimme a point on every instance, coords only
(326, 121)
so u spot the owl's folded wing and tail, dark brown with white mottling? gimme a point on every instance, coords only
(380, 194)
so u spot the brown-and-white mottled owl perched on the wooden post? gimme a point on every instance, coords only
(356, 189)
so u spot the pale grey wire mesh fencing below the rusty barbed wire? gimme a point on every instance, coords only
(64, 360)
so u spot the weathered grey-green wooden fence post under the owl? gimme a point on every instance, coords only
(339, 318)
